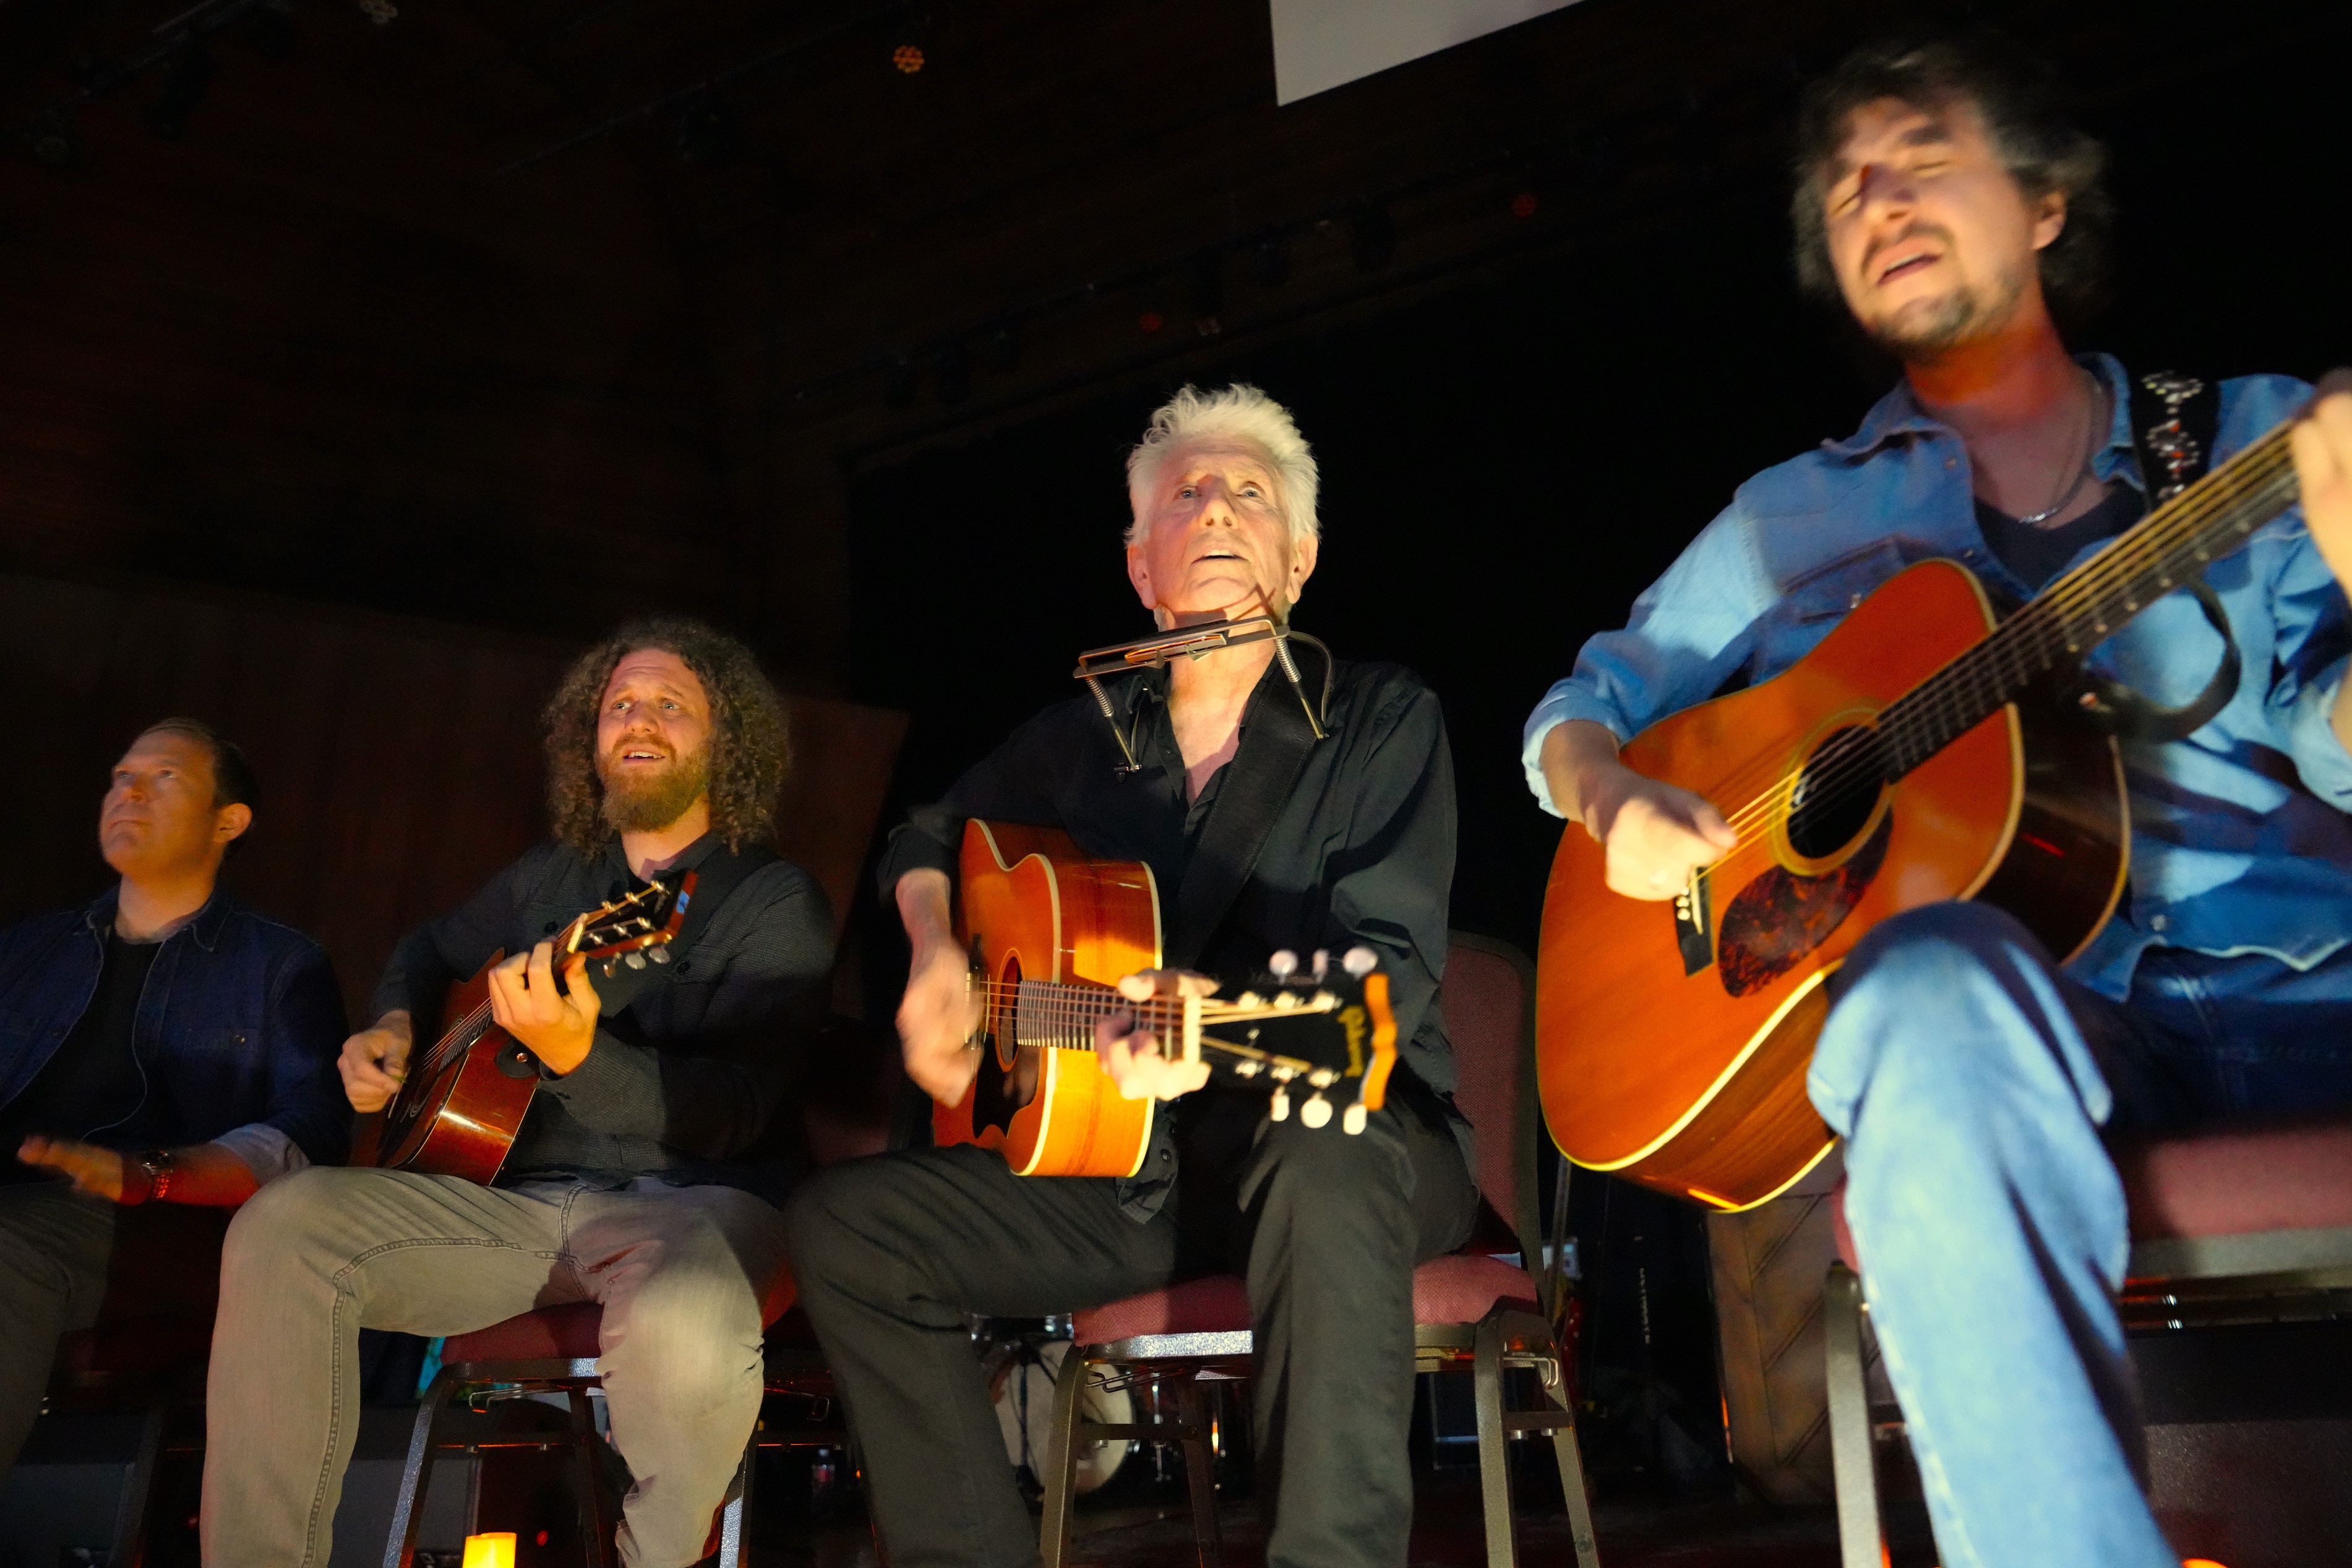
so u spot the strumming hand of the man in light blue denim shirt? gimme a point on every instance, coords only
(1652, 831)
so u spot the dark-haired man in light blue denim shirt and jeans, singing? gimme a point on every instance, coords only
(1946, 203)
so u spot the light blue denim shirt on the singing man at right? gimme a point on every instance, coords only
(2238, 833)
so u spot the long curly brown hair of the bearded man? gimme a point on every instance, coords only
(749, 744)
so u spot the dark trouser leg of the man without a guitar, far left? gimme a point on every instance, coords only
(55, 1247)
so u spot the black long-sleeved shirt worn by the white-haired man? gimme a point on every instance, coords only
(1361, 850)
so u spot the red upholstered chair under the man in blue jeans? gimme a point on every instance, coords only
(2226, 1228)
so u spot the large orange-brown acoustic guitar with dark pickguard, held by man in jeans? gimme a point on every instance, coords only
(1923, 751)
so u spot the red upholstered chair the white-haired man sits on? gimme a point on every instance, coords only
(1471, 1313)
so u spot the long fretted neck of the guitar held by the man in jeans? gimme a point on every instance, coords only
(2165, 551)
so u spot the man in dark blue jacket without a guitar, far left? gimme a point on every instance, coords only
(163, 1045)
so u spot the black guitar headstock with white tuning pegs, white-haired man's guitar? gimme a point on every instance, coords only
(1309, 1026)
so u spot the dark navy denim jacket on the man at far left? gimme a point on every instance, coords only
(239, 1024)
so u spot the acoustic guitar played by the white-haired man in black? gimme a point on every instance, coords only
(1050, 932)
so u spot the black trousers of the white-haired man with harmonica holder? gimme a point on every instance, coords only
(1325, 1228)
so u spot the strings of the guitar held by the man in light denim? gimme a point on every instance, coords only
(2153, 556)
